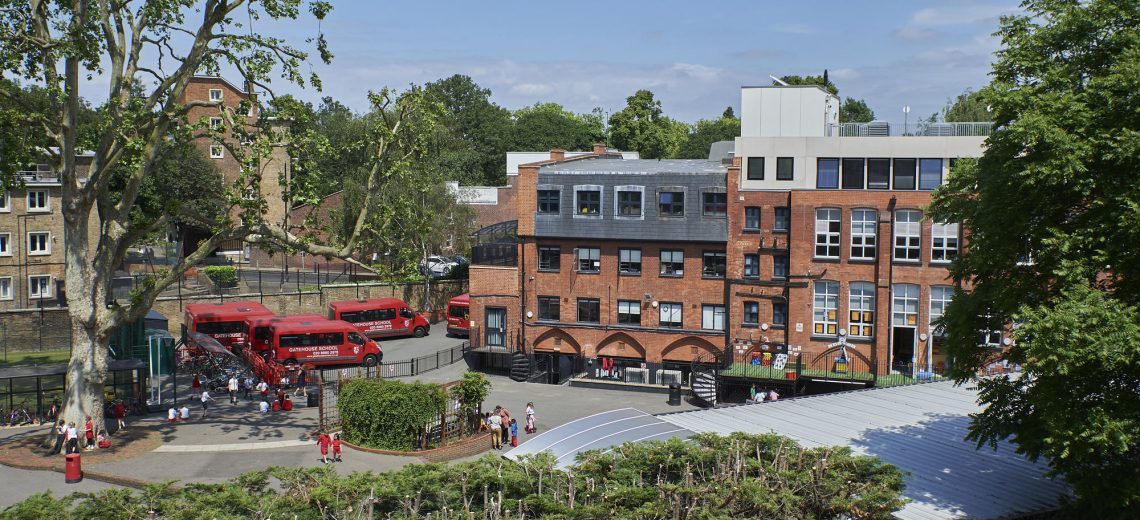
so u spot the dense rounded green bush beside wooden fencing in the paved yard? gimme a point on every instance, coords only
(388, 415)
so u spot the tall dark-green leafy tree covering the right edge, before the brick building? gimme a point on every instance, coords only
(1054, 212)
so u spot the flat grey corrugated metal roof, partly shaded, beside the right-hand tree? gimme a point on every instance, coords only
(918, 428)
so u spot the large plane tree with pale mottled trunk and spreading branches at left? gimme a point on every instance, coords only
(134, 60)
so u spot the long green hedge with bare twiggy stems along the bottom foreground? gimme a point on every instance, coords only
(712, 478)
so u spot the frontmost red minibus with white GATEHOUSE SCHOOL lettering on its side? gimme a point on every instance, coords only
(323, 343)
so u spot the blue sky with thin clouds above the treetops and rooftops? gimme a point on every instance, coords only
(694, 55)
